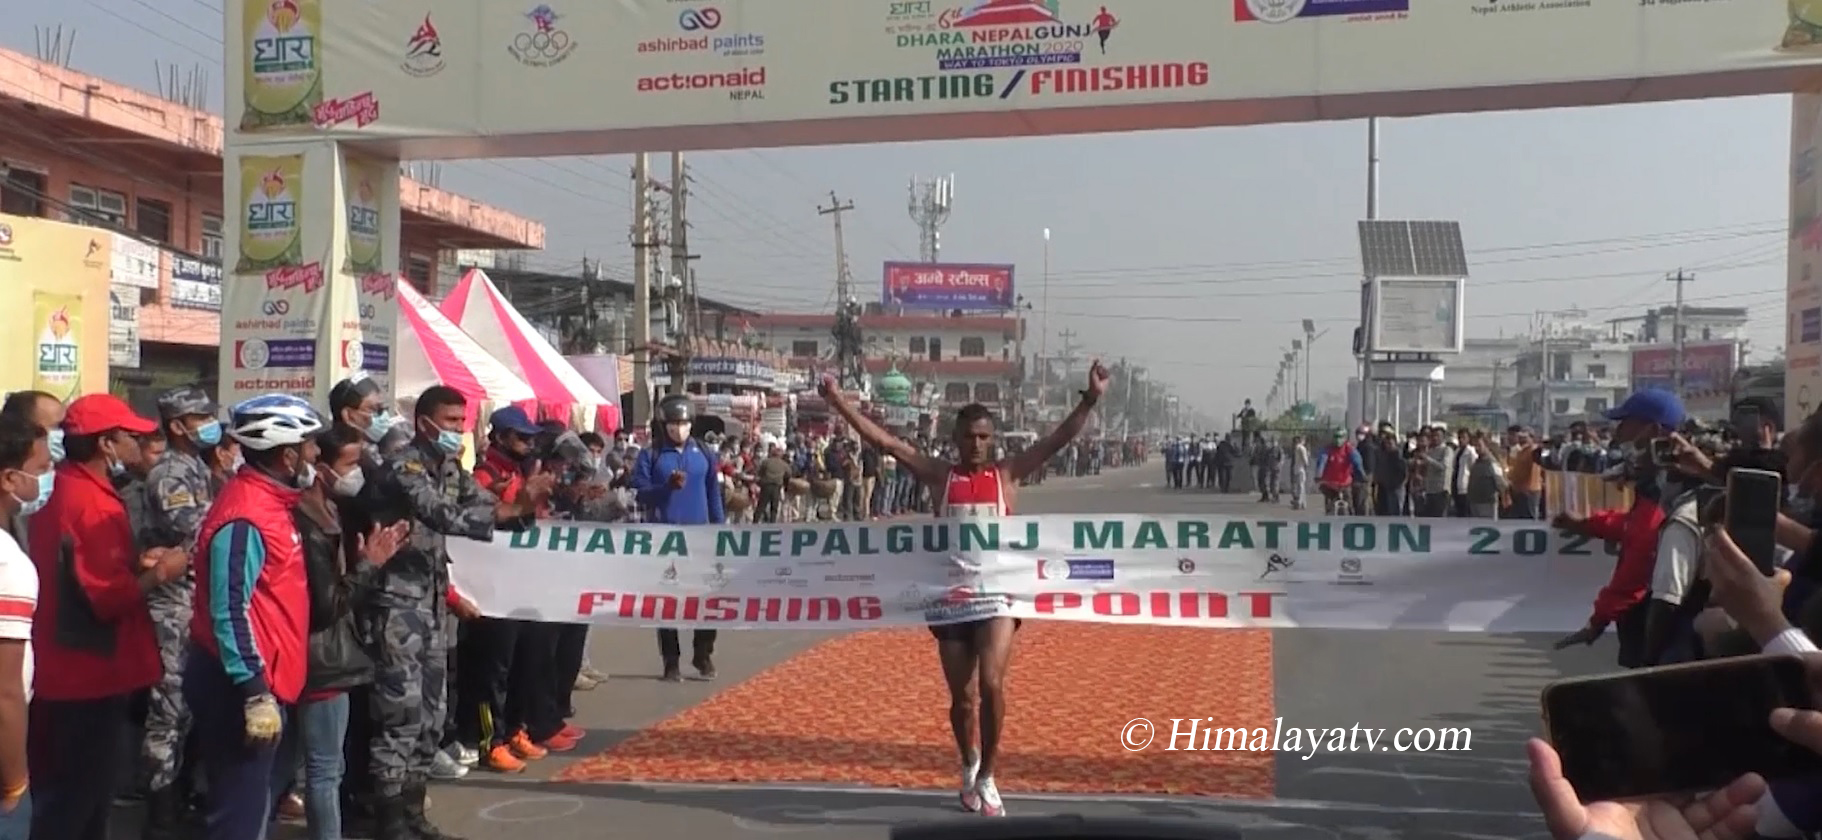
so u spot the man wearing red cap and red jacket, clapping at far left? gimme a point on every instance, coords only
(92, 637)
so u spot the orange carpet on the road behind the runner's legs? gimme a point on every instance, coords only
(870, 710)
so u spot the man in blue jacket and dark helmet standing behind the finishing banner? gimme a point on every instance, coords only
(679, 484)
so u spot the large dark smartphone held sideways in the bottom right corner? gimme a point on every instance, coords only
(1679, 728)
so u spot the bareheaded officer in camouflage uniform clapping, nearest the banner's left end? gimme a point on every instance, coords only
(427, 486)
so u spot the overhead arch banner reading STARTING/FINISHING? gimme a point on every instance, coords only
(515, 77)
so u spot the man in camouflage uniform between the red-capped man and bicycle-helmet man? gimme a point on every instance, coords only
(179, 491)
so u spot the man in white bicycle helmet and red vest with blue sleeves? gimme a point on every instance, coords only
(251, 630)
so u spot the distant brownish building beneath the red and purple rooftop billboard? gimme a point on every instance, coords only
(965, 358)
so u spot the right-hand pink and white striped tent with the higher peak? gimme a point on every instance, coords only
(482, 311)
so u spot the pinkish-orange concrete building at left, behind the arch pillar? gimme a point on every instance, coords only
(94, 152)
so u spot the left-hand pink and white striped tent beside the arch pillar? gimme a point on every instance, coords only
(438, 353)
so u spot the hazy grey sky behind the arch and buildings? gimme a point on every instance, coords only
(1194, 252)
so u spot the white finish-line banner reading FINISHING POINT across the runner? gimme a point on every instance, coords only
(1373, 575)
